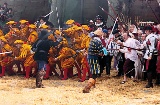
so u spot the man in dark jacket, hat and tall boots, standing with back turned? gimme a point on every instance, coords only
(41, 48)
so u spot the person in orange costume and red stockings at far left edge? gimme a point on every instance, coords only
(6, 59)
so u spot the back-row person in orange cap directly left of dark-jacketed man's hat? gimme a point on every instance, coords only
(33, 36)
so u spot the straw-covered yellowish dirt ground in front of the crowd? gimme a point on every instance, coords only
(15, 90)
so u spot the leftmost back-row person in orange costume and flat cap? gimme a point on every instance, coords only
(13, 33)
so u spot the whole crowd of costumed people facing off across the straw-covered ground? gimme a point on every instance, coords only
(89, 49)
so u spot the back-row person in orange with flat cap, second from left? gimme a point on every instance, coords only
(24, 32)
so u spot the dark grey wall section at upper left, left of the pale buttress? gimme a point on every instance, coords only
(28, 9)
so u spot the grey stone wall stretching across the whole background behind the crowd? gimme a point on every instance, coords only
(84, 10)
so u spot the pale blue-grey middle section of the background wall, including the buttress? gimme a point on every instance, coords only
(79, 10)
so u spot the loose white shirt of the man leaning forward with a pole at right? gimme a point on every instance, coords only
(132, 55)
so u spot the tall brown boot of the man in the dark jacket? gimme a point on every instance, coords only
(39, 78)
